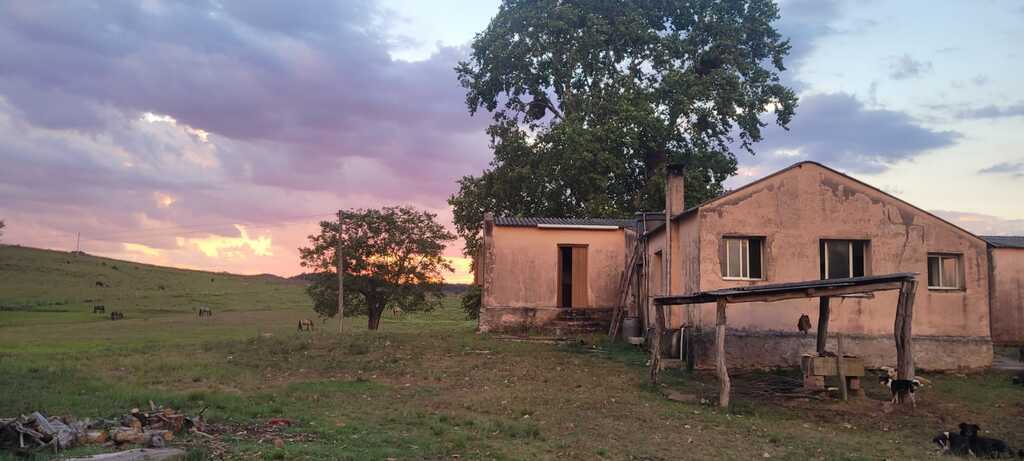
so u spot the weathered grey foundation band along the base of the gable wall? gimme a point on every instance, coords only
(746, 350)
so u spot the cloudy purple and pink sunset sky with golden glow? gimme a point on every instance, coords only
(216, 135)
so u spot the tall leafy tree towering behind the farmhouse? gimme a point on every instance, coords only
(589, 99)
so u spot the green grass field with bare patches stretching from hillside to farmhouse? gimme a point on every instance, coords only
(425, 387)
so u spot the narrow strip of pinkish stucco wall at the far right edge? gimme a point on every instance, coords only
(1008, 297)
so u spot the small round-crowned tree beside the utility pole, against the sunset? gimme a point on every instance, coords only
(393, 259)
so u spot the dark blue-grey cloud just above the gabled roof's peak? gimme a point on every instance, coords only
(838, 130)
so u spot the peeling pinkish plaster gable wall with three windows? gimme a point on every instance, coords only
(795, 209)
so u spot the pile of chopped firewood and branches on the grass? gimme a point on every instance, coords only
(154, 429)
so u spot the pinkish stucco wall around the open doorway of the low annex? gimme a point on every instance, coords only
(523, 267)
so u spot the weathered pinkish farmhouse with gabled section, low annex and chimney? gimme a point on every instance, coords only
(805, 223)
